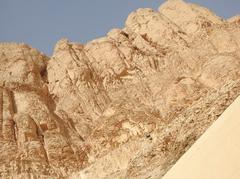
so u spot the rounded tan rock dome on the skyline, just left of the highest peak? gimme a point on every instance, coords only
(155, 28)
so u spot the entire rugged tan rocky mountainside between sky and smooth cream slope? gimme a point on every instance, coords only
(127, 105)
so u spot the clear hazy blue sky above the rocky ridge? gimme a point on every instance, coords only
(41, 23)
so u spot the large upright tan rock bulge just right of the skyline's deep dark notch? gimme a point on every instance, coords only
(71, 76)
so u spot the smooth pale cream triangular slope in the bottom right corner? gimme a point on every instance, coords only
(216, 154)
